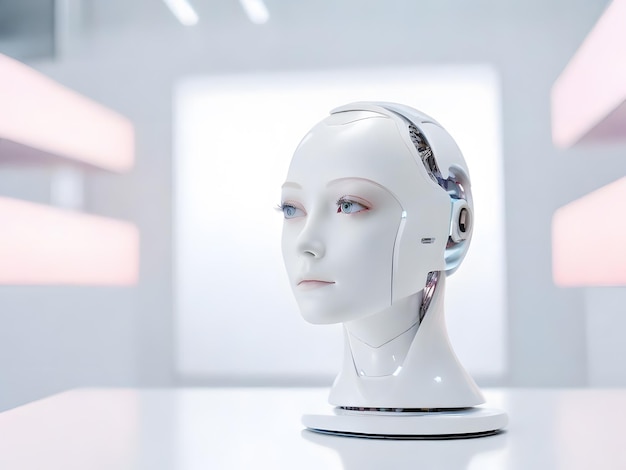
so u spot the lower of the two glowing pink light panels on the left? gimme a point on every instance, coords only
(45, 245)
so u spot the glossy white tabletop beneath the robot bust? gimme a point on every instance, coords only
(248, 428)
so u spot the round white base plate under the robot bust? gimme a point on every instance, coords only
(454, 424)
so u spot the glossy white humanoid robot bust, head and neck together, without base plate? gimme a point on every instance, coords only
(378, 211)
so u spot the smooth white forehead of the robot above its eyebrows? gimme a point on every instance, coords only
(354, 145)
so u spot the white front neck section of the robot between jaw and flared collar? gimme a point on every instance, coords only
(379, 343)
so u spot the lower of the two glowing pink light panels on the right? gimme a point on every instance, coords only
(589, 239)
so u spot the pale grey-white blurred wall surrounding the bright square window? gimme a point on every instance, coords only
(129, 54)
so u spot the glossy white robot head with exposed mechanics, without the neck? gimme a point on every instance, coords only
(377, 197)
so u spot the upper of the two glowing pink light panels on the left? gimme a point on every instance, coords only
(38, 112)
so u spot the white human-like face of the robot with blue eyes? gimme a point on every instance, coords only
(340, 227)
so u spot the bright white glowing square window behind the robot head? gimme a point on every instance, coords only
(234, 137)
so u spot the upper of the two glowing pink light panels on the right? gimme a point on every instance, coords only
(590, 95)
